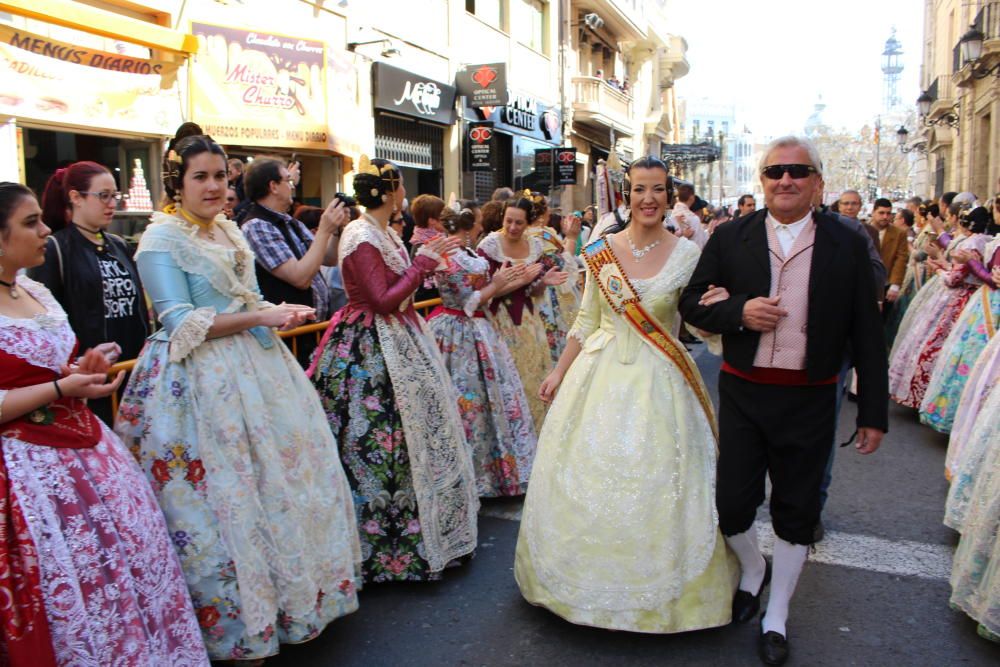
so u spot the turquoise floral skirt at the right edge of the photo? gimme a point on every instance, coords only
(958, 356)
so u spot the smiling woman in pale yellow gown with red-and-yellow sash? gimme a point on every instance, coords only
(619, 528)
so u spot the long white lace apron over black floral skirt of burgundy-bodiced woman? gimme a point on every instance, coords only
(441, 464)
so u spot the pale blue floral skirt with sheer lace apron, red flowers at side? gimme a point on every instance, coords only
(235, 444)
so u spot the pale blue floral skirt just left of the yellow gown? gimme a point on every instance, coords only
(491, 400)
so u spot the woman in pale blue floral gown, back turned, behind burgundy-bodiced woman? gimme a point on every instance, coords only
(491, 397)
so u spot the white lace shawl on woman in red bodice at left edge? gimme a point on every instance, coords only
(45, 340)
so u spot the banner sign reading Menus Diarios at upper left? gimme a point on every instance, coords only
(68, 84)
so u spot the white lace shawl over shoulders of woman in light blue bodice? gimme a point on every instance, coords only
(215, 263)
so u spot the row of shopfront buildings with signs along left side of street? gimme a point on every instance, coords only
(325, 82)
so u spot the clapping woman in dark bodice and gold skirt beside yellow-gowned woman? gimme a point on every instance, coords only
(516, 307)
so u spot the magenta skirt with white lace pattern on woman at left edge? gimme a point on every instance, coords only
(114, 592)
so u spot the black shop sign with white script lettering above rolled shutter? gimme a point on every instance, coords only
(410, 94)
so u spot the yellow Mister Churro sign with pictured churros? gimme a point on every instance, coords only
(259, 89)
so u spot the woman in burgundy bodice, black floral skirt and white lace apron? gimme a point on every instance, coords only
(389, 400)
